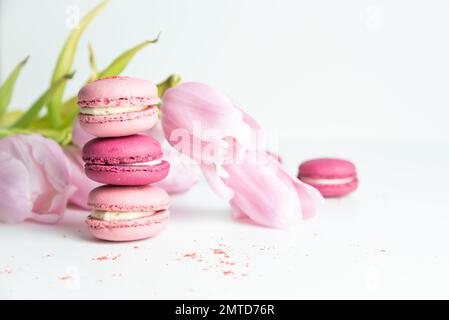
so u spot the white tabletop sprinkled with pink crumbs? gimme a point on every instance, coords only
(389, 239)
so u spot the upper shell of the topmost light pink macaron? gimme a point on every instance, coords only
(118, 91)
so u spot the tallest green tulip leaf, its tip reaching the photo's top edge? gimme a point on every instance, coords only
(65, 61)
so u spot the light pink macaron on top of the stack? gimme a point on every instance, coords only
(118, 106)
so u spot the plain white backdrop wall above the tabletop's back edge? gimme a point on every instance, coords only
(326, 70)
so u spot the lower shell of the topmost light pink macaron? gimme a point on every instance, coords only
(120, 125)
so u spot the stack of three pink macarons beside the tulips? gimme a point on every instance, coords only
(127, 207)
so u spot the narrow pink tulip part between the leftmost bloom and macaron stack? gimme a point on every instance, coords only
(78, 178)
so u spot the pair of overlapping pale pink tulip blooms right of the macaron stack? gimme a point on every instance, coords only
(204, 124)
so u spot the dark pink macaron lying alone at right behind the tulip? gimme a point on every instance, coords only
(332, 177)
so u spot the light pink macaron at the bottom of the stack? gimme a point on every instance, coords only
(127, 213)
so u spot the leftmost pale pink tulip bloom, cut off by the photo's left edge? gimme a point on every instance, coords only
(35, 179)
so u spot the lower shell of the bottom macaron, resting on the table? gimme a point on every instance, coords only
(129, 230)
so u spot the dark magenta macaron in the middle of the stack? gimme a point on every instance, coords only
(126, 161)
